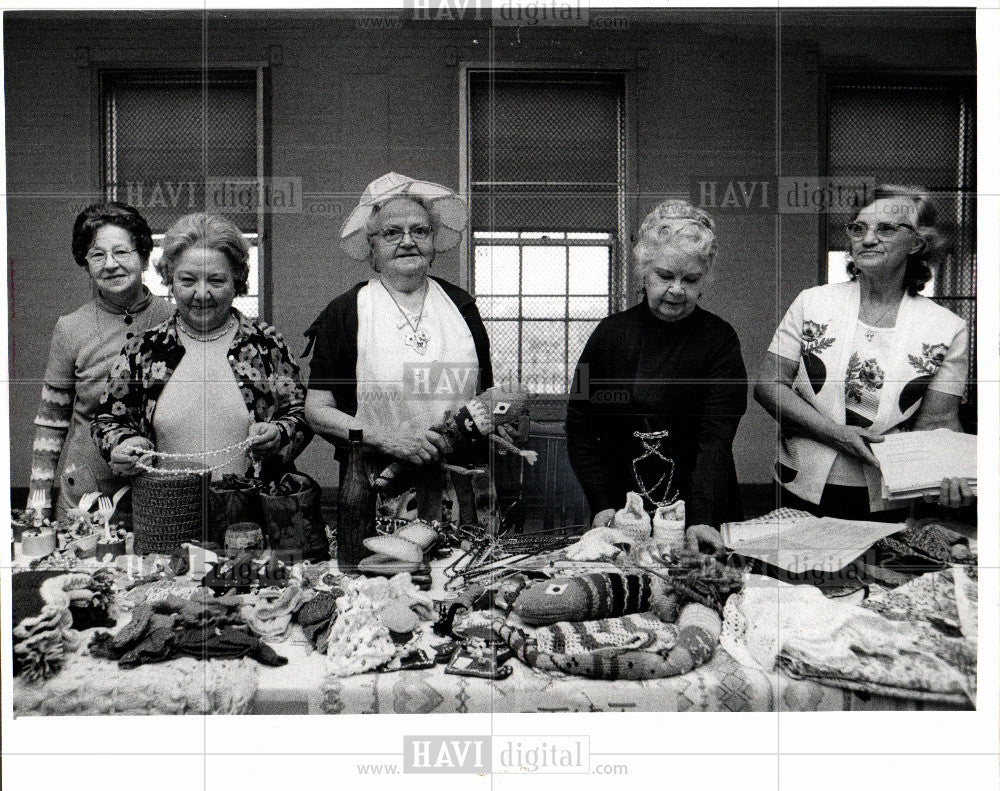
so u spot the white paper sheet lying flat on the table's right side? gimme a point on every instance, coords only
(799, 542)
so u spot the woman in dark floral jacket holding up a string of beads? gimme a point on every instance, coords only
(207, 378)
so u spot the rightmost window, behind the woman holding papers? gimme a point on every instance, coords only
(912, 133)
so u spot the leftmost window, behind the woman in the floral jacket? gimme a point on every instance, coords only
(169, 138)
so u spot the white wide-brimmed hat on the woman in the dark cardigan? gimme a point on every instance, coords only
(448, 212)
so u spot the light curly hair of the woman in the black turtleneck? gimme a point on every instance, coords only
(679, 225)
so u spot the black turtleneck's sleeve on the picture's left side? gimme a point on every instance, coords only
(582, 427)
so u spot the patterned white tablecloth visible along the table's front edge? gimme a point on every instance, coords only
(720, 685)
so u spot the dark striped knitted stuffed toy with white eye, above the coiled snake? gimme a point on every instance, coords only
(584, 598)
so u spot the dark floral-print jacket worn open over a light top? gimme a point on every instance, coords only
(265, 373)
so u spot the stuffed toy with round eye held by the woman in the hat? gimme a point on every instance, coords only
(465, 434)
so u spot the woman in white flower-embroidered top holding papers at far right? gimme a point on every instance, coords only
(853, 361)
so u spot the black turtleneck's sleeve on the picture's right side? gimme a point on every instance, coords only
(725, 402)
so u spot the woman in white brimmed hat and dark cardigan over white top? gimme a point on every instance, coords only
(395, 352)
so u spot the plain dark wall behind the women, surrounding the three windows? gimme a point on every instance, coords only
(714, 95)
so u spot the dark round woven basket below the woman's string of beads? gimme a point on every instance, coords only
(168, 510)
